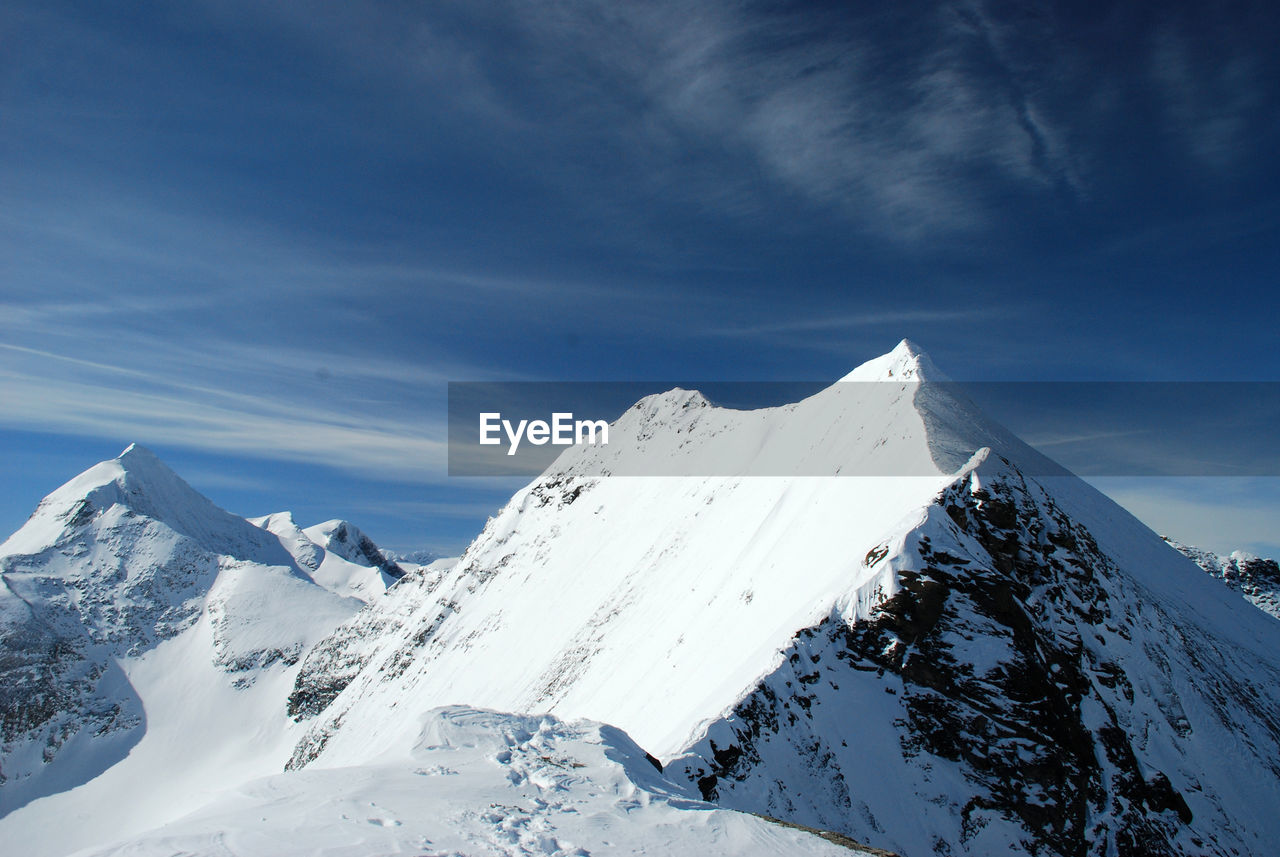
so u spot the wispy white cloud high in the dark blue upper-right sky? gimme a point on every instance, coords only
(822, 117)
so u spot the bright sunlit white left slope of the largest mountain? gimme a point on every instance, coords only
(643, 603)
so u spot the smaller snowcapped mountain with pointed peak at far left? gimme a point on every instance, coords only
(126, 578)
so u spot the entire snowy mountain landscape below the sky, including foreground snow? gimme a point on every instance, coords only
(963, 662)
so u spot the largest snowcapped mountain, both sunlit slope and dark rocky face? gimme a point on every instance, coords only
(948, 656)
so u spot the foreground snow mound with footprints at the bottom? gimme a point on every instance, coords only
(479, 783)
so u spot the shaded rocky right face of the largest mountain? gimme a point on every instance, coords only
(1037, 699)
